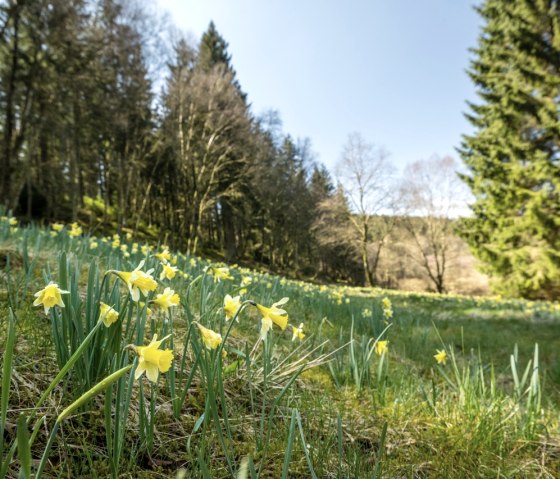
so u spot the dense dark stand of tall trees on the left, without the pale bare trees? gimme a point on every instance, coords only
(87, 109)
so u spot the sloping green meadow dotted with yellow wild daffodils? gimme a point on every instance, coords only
(123, 359)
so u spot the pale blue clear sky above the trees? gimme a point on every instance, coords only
(393, 70)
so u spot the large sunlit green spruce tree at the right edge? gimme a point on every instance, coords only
(513, 156)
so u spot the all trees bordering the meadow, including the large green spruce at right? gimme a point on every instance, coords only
(110, 117)
